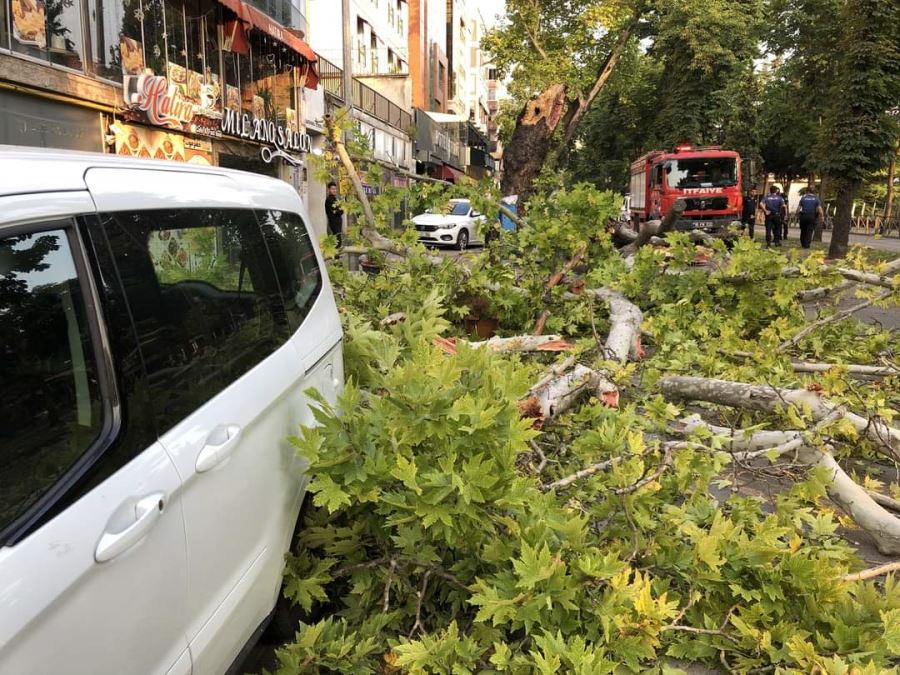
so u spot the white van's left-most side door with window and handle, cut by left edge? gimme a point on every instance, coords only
(93, 568)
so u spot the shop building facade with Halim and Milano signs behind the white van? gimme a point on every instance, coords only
(201, 81)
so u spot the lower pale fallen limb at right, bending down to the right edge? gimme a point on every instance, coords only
(853, 499)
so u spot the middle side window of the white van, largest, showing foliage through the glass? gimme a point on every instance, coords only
(203, 298)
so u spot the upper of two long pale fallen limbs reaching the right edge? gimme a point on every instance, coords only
(762, 398)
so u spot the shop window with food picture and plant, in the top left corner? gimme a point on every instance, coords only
(49, 30)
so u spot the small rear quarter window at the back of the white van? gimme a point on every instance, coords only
(295, 262)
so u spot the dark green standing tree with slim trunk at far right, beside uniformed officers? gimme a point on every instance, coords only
(858, 133)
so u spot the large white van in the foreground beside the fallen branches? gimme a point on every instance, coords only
(159, 325)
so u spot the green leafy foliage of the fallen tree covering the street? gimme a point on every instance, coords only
(433, 547)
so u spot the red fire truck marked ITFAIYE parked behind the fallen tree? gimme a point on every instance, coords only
(708, 179)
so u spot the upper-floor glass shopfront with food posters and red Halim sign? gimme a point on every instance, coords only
(176, 39)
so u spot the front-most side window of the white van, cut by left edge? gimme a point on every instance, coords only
(49, 389)
